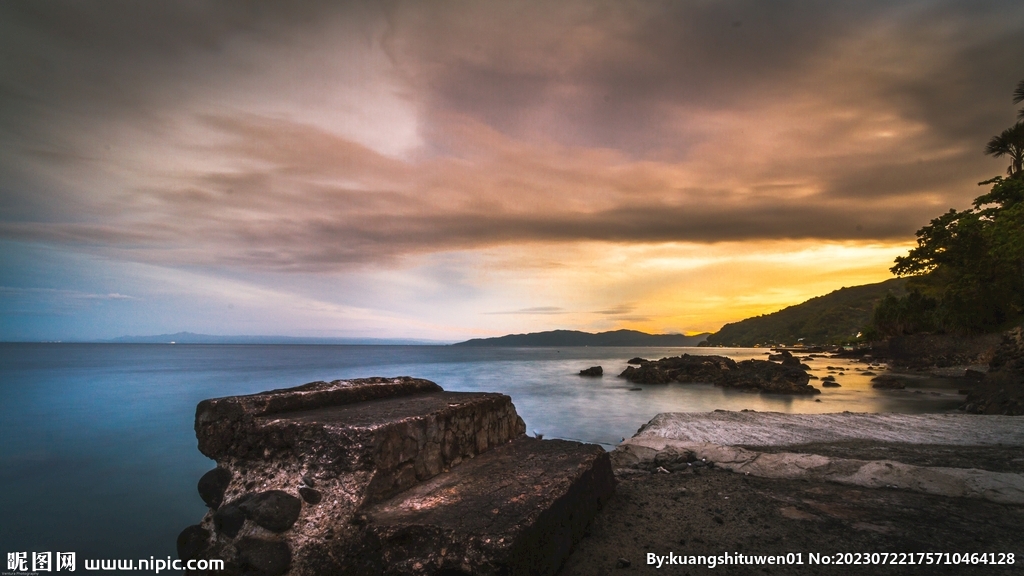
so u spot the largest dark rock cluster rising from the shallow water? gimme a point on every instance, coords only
(721, 372)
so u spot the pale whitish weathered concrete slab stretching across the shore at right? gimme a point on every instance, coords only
(736, 440)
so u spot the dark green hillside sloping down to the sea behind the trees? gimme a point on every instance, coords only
(834, 319)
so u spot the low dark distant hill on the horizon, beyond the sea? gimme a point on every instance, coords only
(578, 339)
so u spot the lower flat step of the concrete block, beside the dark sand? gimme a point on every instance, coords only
(515, 511)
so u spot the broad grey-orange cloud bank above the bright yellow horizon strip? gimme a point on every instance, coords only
(540, 122)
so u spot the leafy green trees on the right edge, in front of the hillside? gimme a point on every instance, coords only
(967, 274)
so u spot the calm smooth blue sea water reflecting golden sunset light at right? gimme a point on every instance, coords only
(99, 456)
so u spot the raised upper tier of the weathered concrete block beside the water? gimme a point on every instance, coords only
(402, 439)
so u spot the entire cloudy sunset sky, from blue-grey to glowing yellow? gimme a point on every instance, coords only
(448, 171)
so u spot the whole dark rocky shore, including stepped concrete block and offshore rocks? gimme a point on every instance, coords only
(396, 476)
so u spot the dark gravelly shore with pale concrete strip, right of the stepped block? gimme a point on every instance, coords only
(785, 493)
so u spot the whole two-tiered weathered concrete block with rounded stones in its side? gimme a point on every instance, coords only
(298, 471)
